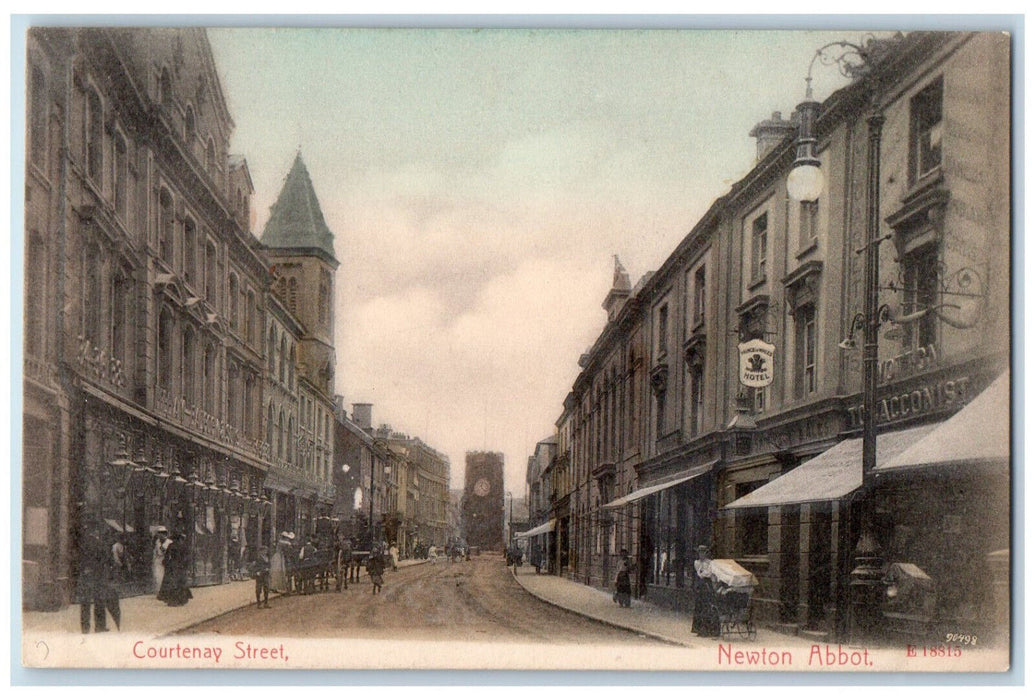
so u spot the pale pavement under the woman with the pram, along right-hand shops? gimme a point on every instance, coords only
(644, 619)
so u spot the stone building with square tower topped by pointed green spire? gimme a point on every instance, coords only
(301, 362)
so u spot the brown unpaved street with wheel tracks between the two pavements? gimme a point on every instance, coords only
(441, 602)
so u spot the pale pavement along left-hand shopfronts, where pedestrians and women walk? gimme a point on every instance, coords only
(149, 617)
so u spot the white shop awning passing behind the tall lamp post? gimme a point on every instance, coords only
(830, 476)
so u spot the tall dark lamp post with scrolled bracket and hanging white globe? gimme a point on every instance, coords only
(806, 184)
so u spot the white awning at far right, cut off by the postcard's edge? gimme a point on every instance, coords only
(980, 432)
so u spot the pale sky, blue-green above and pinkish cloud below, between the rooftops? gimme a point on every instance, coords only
(479, 184)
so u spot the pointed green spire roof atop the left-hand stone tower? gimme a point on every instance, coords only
(295, 220)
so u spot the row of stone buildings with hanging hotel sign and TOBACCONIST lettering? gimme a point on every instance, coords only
(672, 451)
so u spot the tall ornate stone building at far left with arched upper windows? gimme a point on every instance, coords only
(150, 373)
